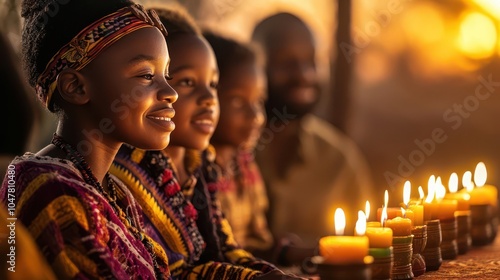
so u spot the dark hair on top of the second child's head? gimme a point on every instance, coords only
(177, 21)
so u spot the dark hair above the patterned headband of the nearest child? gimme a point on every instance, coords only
(50, 24)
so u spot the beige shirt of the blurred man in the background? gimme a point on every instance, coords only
(329, 172)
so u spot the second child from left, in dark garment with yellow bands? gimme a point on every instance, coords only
(180, 208)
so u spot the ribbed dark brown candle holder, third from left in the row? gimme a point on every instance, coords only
(403, 251)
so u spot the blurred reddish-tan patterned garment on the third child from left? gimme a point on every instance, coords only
(243, 199)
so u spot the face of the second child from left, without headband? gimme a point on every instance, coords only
(195, 77)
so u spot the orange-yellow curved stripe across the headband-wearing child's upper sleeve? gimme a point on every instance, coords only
(62, 210)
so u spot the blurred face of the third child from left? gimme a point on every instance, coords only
(242, 95)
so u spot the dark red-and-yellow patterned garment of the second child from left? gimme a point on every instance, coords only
(197, 238)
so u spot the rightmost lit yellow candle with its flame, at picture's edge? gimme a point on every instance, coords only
(483, 194)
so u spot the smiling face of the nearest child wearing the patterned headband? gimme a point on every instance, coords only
(130, 100)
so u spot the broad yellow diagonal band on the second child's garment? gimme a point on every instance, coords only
(151, 208)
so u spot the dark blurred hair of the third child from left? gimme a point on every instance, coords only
(230, 53)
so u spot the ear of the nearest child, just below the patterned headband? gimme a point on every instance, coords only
(71, 87)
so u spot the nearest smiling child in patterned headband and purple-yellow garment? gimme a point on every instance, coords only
(101, 66)
